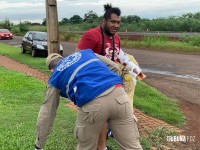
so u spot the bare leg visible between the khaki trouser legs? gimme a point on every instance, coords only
(102, 137)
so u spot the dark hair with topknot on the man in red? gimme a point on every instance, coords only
(110, 10)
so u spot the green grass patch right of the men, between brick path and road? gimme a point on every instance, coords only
(157, 105)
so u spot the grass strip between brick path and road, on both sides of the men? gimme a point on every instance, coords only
(147, 99)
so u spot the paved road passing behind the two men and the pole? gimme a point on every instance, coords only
(176, 75)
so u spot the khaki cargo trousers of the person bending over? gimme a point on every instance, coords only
(113, 108)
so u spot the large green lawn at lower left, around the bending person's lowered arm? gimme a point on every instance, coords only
(20, 100)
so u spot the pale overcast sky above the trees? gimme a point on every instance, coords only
(34, 10)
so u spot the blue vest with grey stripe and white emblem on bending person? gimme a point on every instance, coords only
(84, 84)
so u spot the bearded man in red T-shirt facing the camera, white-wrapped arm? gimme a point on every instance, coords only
(103, 40)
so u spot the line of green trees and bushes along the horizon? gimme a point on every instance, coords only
(189, 22)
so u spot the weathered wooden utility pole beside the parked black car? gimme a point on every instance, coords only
(52, 27)
